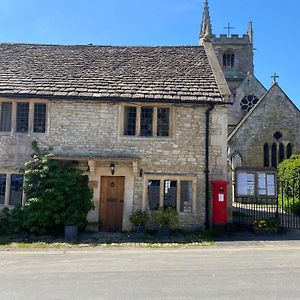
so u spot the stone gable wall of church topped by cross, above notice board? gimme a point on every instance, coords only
(274, 113)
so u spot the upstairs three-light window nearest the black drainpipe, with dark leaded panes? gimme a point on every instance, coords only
(146, 121)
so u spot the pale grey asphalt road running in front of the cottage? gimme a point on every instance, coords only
(258, 271)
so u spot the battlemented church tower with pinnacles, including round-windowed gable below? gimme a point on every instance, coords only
(235, 55)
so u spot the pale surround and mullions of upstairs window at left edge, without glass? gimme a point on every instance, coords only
(31, 102)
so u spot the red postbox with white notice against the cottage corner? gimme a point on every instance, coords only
(219, 194)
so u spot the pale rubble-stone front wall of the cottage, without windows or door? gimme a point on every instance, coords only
(90, 128)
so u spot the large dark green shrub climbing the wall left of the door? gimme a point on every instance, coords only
(57, 195)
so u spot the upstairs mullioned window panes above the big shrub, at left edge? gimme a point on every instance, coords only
(16, 116)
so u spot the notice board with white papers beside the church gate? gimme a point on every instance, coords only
(258, 182)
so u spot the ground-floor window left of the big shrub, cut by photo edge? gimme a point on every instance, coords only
(11, 189)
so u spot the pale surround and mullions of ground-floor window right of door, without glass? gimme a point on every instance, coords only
(178, 179)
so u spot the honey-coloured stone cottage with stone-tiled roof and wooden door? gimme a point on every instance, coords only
(147, 124)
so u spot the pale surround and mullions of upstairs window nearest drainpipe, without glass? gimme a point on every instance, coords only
(154, 120)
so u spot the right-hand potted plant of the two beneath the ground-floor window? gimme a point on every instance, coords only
(165, 219)
